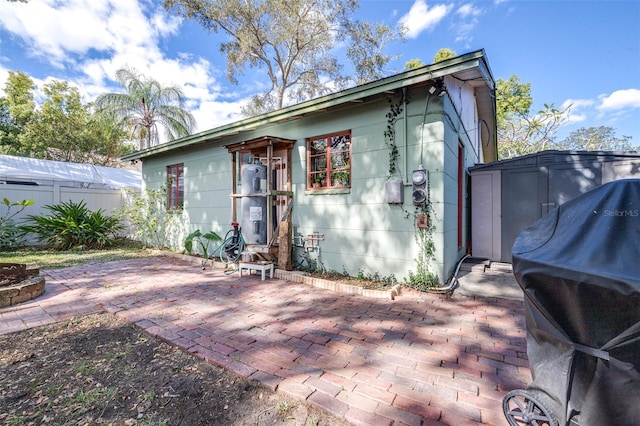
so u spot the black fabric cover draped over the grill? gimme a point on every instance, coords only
(579, 268)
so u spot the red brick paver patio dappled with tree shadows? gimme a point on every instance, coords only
(419, 359)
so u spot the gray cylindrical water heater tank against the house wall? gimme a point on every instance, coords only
(253, 209)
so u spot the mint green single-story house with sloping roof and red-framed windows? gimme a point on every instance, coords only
(357, 174)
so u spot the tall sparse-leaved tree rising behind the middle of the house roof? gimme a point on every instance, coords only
(293, 41)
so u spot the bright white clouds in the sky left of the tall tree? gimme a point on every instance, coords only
(89, 40)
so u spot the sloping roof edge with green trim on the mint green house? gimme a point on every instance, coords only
(472, 68)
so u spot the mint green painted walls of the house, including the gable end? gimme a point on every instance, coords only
(362, 231)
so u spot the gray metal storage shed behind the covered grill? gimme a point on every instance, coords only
(509, 195)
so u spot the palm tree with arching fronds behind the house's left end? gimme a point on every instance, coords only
(145, 105)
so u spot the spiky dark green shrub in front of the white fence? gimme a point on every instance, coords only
(73, 225)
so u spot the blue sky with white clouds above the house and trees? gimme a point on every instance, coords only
(580, 53)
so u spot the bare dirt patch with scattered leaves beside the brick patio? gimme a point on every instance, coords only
(99, 369)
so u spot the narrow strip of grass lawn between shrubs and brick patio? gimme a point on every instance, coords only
(38, 257)
